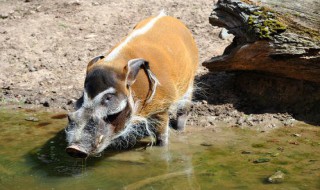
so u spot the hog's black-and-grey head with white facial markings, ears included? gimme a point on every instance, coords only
(105, 107)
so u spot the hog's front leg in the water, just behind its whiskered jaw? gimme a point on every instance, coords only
(162, 128)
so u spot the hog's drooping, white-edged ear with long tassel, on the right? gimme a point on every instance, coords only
(132, 69)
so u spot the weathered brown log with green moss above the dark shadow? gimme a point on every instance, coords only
(275, 37)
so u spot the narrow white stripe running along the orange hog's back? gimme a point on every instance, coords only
(112, 55)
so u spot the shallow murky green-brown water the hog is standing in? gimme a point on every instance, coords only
(32, 157)
